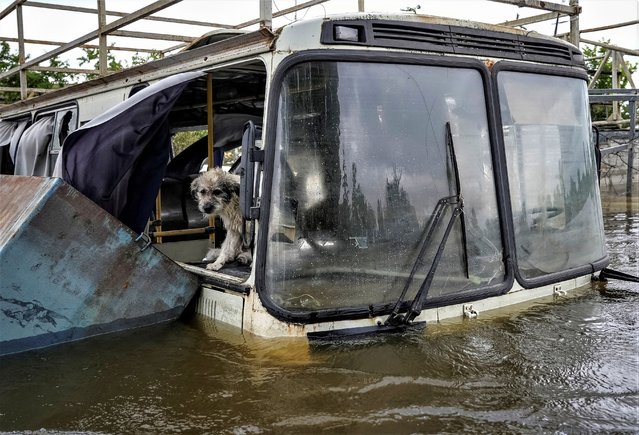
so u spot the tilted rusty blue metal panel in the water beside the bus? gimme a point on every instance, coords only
(70, 270)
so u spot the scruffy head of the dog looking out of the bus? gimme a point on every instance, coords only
(214, 190)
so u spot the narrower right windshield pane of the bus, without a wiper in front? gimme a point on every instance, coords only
(551, 171)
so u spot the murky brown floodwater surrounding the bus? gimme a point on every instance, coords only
(565, 366)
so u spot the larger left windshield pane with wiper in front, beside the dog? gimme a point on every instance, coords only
(362, 159)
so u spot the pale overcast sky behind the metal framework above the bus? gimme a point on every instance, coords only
(66, 26)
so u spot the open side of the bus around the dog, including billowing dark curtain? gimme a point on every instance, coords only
(126, 160)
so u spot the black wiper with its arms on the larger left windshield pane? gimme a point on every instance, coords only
(415, 308)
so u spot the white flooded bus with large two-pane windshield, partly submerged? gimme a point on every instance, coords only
(394, 170)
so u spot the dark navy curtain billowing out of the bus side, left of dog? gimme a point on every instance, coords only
(118, 159)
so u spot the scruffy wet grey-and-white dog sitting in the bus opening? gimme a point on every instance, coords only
(218, 193)
